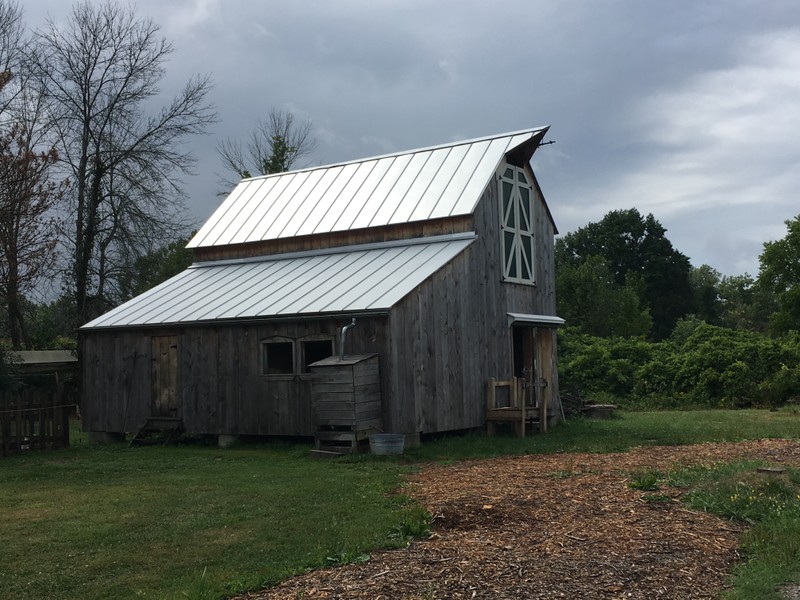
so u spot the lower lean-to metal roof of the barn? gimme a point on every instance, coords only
(364, 278)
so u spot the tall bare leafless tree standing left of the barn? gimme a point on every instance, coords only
(100, 70)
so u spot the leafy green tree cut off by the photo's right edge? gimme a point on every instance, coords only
(779, 274)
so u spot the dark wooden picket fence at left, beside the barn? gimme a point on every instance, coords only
(33, 418)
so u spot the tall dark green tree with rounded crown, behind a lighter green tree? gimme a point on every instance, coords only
(638, 254)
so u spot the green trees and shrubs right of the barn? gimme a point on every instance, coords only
(648, 330)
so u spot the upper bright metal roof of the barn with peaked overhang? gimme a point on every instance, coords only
(418, 185)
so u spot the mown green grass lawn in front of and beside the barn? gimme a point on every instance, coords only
(198, 522)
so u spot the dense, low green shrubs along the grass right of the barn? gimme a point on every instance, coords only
(701, 365)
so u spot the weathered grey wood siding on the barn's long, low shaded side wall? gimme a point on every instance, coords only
(219, 380)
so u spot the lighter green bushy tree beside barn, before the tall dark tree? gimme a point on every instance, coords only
(589, 298)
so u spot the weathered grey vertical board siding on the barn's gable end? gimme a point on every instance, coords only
(451, 334)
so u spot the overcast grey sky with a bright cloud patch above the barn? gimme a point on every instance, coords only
(686, 109)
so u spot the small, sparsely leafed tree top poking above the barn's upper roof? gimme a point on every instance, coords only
(274, 146)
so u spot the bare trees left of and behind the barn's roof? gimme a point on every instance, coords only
(91, 160)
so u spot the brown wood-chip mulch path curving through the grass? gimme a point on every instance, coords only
(552, 526)
